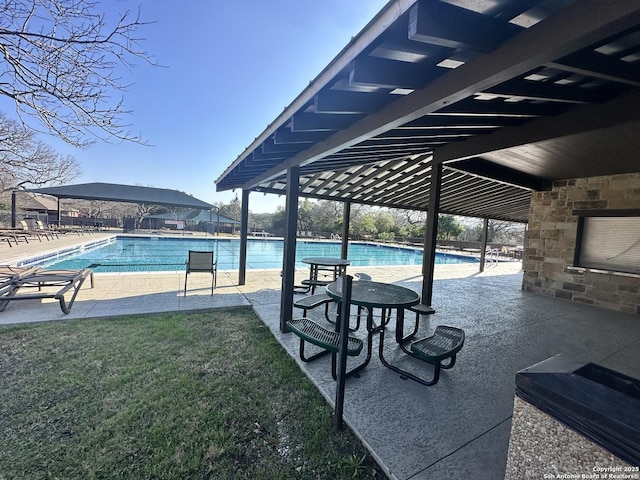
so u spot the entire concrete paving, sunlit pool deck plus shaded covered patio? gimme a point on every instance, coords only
(457, 429)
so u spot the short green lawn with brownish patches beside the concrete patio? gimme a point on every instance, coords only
(168, 396)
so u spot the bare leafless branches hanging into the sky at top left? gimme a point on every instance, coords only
(59, 62)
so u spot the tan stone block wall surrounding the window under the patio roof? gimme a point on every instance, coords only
(551, 239)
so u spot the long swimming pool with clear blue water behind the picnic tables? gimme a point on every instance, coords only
(158, 254)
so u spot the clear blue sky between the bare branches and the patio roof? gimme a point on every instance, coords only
(231, 68)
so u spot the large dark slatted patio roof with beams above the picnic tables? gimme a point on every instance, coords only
(508, 96)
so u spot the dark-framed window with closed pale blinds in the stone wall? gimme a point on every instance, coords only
(609, 243)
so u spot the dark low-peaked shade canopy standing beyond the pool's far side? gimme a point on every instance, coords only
(112, 192)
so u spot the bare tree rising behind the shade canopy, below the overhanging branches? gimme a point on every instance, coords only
(26, 161)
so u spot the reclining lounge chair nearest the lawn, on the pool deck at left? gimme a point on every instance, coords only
(50, 284)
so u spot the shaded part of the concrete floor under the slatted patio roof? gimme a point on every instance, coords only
(459, 428)
